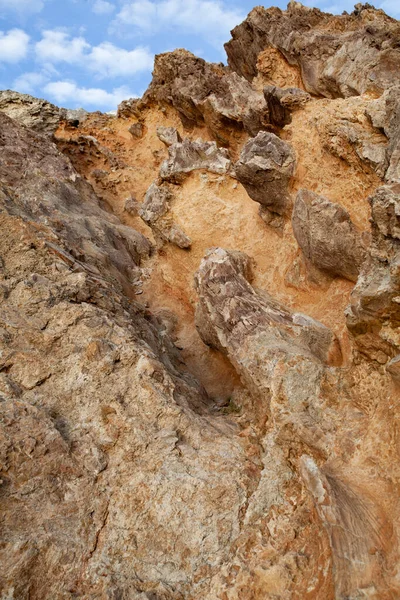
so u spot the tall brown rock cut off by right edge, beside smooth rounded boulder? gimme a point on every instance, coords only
(374, 312)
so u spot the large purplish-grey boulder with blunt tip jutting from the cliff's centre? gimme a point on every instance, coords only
(238, 320)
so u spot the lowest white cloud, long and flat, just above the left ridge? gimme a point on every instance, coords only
(69, 93)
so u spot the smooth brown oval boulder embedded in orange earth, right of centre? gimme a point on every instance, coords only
(327, 236)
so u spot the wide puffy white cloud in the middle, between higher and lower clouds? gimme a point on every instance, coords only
(104, 60)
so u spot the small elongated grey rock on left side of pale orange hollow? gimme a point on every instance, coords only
(155, 212)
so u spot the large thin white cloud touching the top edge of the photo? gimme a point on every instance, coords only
(204, 17)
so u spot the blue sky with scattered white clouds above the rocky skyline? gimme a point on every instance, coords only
(95, 53)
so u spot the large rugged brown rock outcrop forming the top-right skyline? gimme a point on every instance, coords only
(321, 45)
